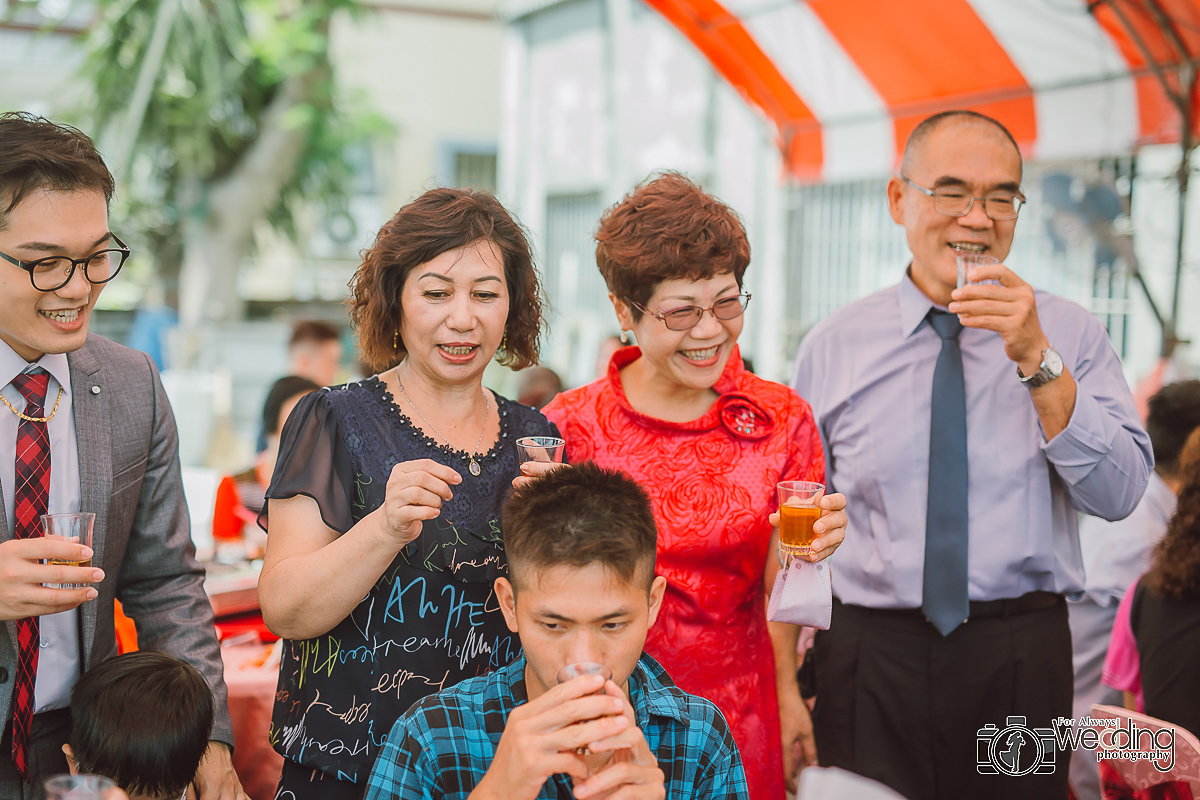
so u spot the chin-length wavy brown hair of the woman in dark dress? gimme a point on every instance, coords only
(440, 221)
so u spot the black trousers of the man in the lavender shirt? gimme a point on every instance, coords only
(902, 705)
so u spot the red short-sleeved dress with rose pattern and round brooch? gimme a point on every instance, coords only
(713, 486)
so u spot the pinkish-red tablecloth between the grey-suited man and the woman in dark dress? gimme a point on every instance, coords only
(251, 696)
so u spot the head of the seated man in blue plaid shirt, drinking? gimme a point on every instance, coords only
(580, 544)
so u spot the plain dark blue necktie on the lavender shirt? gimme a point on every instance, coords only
(945, 586)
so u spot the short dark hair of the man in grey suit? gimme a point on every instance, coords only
(38, 154)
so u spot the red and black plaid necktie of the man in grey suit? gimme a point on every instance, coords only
(31, 500)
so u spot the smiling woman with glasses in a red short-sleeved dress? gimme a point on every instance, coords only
(709, 441)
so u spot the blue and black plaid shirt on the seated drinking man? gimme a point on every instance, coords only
(442, 747)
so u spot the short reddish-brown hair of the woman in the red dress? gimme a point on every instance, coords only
(669, 228)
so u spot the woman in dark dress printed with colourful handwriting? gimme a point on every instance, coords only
(383, 515)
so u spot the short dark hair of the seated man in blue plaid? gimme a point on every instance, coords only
(578, 516)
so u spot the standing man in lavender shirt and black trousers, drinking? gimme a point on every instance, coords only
(1051, 430)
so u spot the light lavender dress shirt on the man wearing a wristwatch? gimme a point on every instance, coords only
(868, 372)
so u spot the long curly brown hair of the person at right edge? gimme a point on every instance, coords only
(1175, 570)
